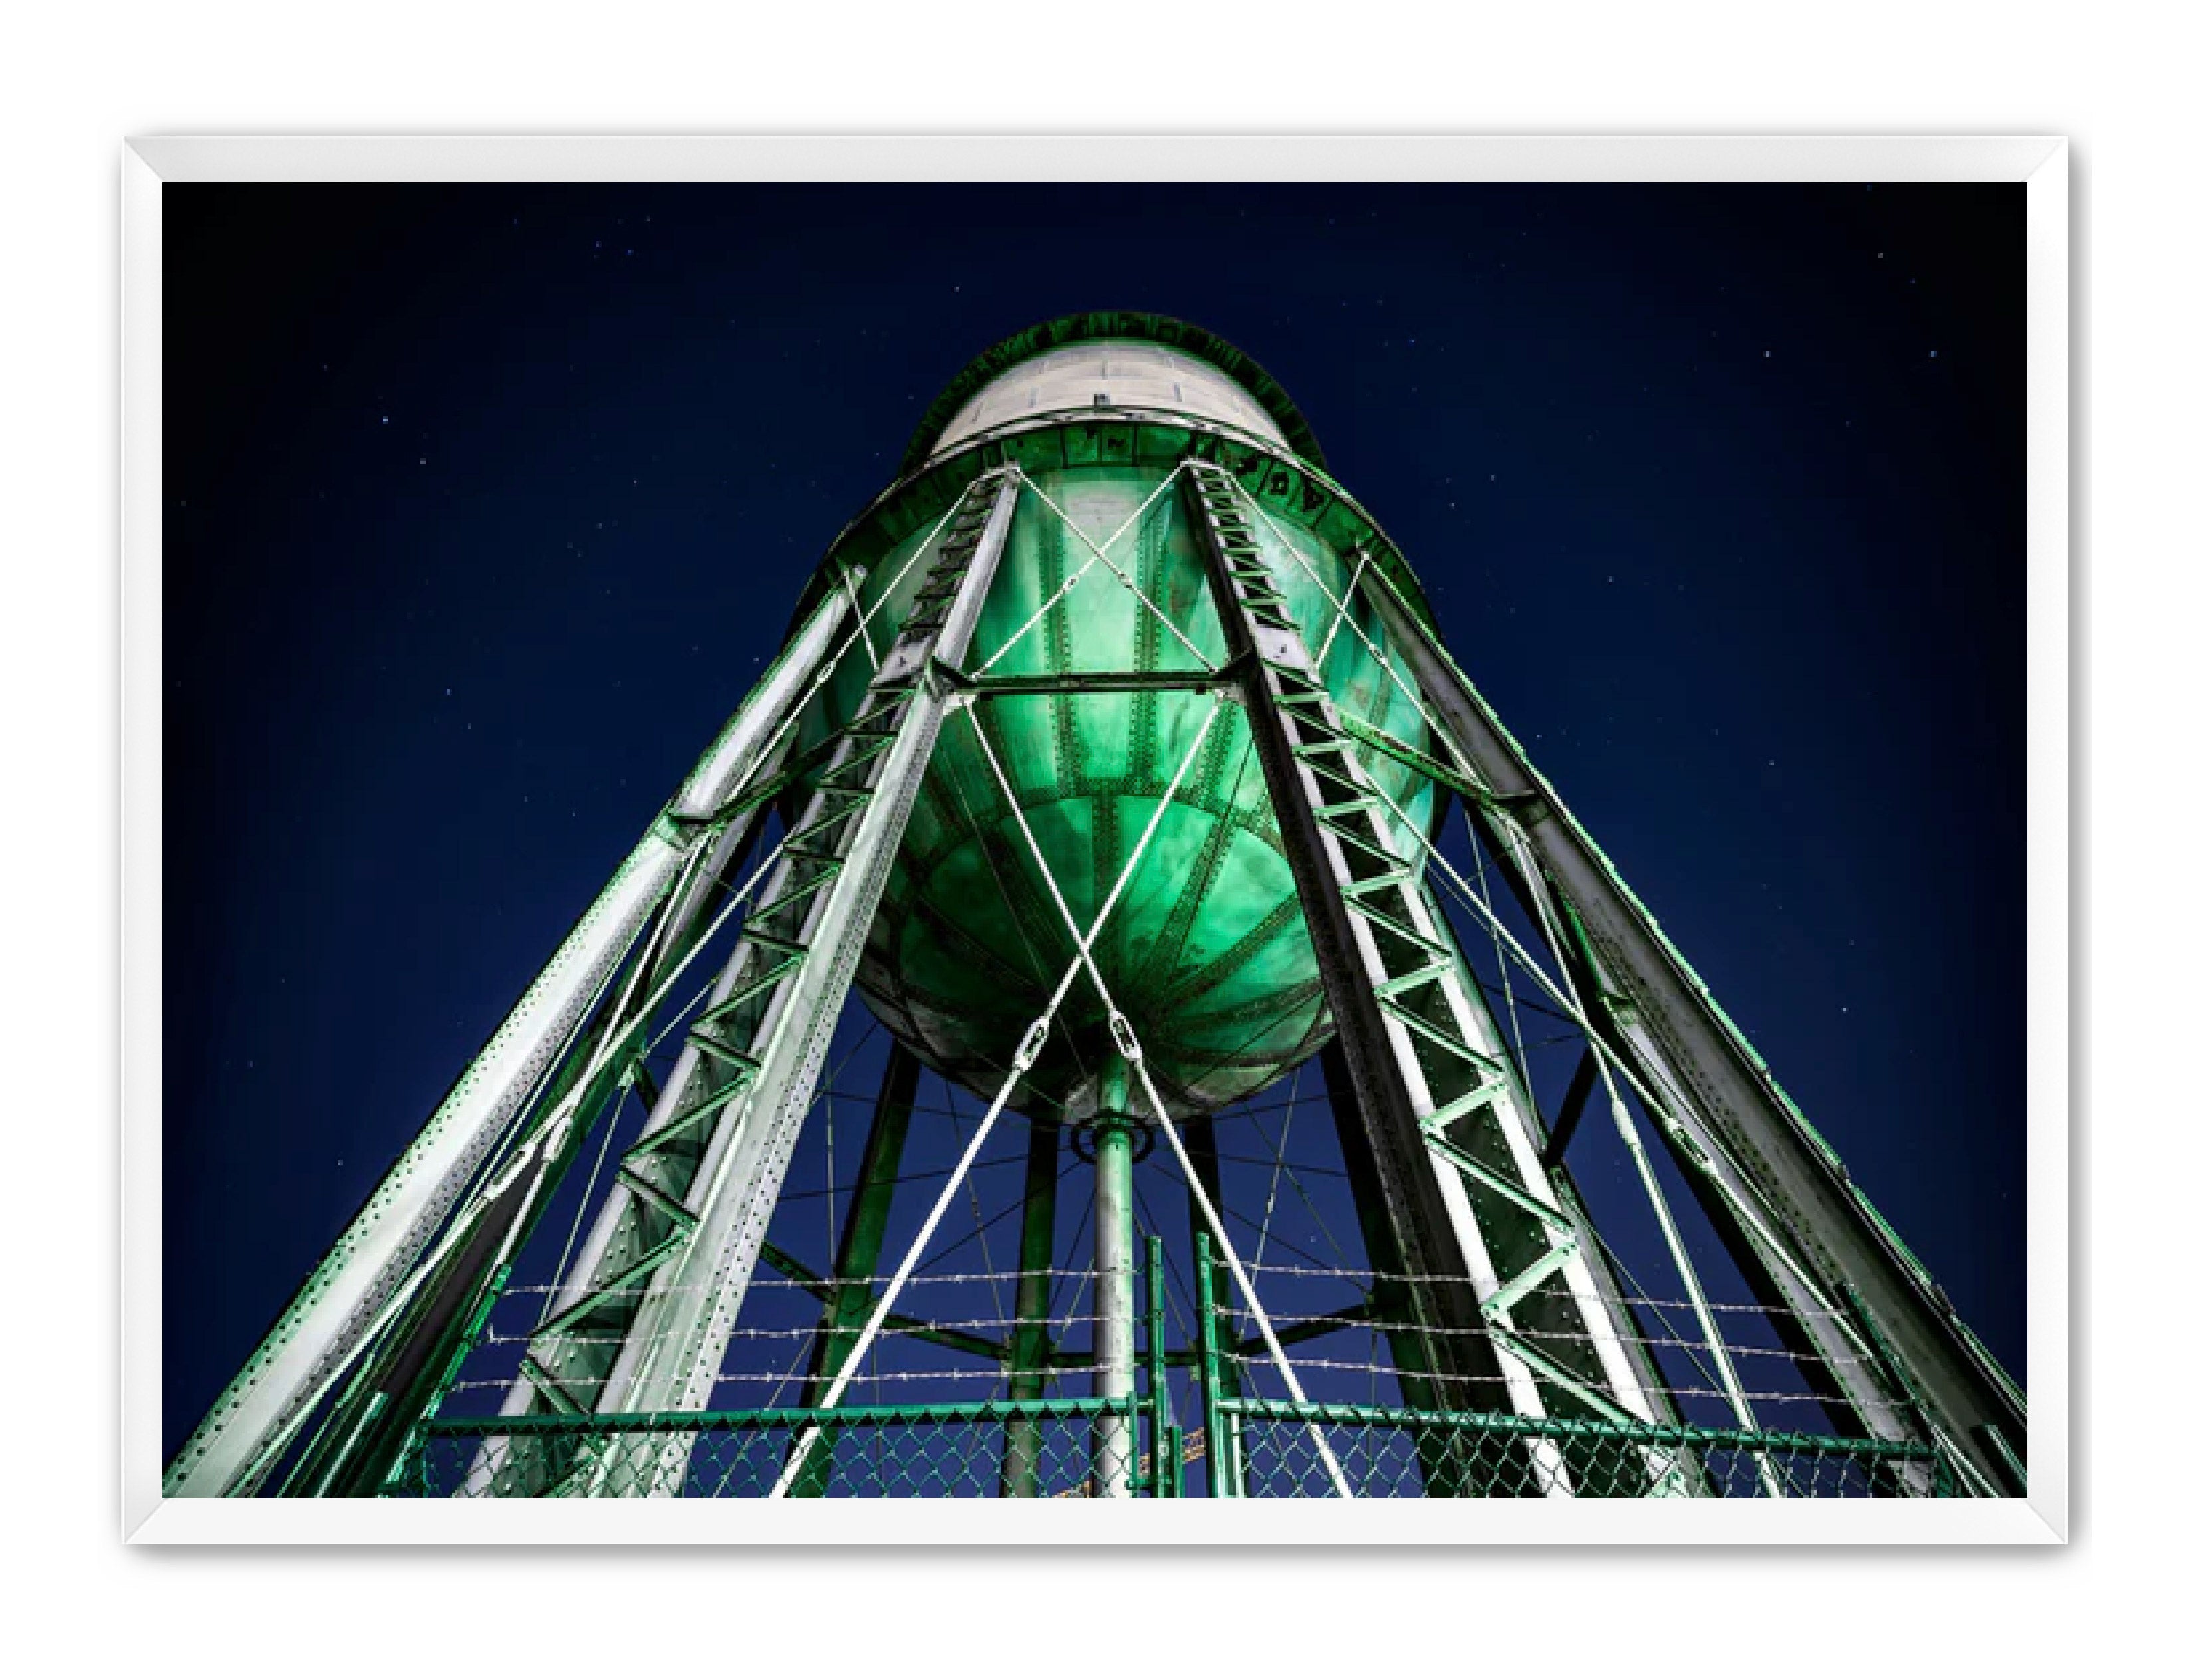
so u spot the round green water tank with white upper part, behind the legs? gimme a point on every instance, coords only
(1207, 950)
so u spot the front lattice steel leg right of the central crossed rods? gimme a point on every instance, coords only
(1490, 1259)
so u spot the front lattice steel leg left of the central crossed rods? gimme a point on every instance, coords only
(671, 1263)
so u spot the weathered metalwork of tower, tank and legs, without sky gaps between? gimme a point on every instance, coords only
(1085, 546)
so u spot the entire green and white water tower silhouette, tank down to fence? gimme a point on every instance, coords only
(1117, 769)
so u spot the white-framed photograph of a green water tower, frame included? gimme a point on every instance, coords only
(1067, 832)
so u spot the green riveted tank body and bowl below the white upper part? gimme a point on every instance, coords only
(1207, 953)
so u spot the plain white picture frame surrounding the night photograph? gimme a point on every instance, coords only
(2041, 163)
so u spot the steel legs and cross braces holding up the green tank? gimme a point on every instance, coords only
(1492, 1287)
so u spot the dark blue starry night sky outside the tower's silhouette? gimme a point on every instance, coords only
(487, 504)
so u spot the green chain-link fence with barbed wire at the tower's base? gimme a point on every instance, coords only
(1135, 1445)
